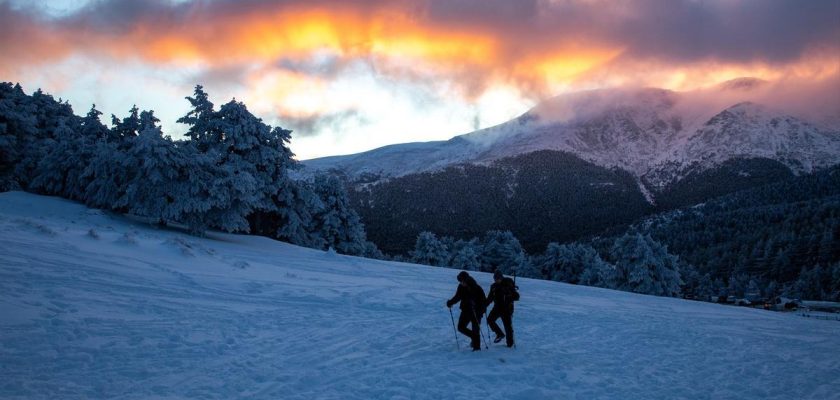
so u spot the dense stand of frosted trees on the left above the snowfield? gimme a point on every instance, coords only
(232, 172)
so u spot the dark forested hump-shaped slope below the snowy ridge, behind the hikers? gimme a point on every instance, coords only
(540, 196)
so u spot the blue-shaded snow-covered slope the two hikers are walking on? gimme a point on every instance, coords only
(98, 306)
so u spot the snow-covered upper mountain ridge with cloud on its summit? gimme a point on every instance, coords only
(655, 134)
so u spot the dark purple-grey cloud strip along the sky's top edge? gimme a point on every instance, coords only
(683, 31)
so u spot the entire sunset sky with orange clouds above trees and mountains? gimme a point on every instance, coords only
(352, 75)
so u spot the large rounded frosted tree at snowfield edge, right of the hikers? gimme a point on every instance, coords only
(643, 265)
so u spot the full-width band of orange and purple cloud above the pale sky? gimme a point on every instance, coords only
(538, 46)
